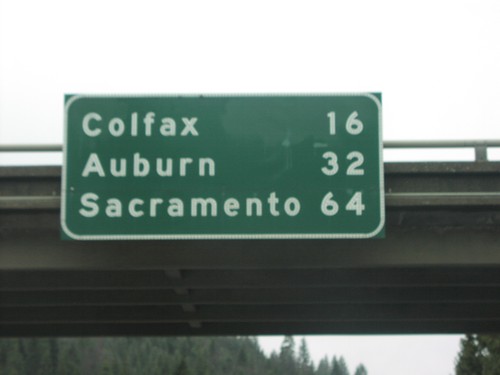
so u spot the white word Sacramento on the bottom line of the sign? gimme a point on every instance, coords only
(91, 205)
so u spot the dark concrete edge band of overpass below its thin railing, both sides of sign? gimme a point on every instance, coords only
(457, 185)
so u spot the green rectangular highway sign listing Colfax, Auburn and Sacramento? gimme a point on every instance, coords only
(222, 167)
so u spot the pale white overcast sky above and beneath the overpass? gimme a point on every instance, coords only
(437, 64)
